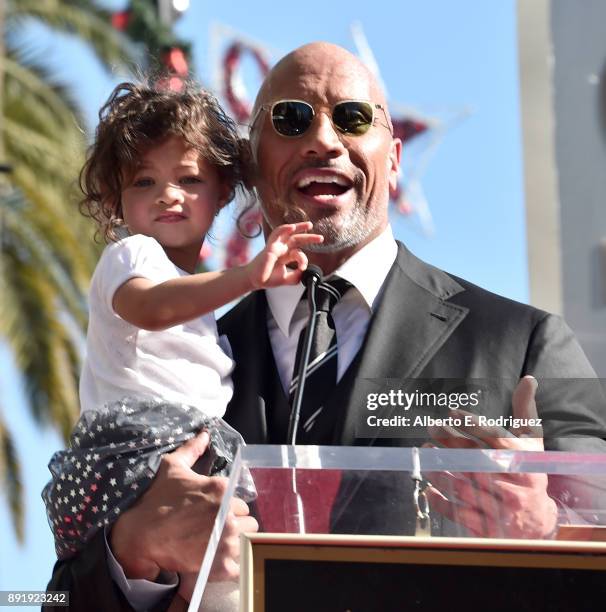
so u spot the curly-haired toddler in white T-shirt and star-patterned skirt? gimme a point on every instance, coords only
(162, 166)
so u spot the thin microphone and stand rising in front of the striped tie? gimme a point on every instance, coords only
(311, 277)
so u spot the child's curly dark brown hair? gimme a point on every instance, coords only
(137, 117)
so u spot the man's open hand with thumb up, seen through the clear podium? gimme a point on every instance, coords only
(496, 505)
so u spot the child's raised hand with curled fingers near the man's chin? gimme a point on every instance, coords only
(270, 267)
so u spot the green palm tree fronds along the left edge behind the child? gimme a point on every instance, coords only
(46, 254)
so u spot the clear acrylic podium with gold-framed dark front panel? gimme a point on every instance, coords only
(354, 519)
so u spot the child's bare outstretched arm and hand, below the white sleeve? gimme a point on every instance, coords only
(157, 306)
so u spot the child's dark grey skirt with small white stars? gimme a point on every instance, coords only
(113, 456)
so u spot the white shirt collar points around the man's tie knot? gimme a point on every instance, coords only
(366, 270)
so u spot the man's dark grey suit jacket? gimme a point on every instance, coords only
(427, 324)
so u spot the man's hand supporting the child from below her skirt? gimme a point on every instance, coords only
(169, 527)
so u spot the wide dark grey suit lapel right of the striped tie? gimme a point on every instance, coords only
(410, 324)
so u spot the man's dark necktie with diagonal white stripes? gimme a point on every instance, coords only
(321, 377)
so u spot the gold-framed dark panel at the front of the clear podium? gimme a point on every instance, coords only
(364, 573)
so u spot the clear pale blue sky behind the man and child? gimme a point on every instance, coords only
(441, 58)
